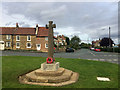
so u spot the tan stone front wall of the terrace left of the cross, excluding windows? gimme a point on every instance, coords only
(23, 42)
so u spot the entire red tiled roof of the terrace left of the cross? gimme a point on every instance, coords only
(42, 31)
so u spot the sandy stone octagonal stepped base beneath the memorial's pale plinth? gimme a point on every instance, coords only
(59, 77)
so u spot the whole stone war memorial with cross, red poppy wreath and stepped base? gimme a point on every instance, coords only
(50, 73)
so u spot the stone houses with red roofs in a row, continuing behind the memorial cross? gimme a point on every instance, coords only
(26, 38)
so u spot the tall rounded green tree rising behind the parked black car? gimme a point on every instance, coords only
(75, 42)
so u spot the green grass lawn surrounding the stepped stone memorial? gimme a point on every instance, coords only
(13, 66)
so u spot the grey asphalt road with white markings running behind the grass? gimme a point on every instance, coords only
(81, 54)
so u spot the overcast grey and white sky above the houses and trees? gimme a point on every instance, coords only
(88, 20)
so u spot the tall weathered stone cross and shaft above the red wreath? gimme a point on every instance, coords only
(50, 38)
